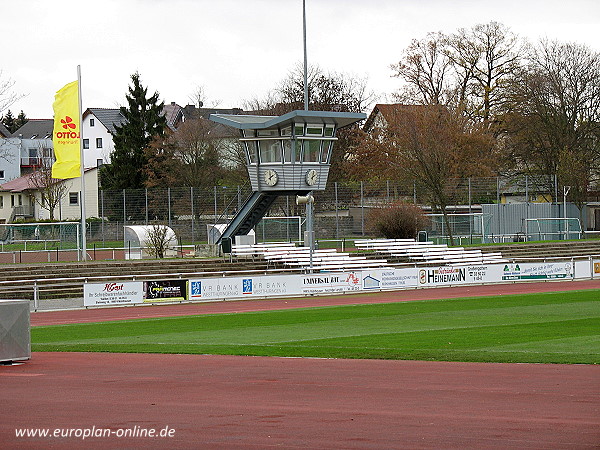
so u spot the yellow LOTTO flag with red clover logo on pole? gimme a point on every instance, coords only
(66, 132)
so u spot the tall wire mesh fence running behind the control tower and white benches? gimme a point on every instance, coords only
(341, 211)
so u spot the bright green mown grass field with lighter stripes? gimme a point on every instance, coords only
(541, 328)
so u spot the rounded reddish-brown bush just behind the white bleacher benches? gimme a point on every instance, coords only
(397, 221)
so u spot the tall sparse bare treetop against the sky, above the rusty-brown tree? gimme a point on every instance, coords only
(466, 71)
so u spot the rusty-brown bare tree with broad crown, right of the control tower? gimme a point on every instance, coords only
(430, 144)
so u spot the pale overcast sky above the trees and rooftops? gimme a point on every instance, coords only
(239, 49)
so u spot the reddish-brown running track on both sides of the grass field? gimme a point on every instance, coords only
(227, 402)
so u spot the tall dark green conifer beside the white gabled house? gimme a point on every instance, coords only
(143, 123)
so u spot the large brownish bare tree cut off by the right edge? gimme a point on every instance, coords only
(553, 126)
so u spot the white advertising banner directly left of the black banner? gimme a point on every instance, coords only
(105, 294)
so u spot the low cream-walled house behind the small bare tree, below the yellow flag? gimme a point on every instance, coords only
(20, 199)
